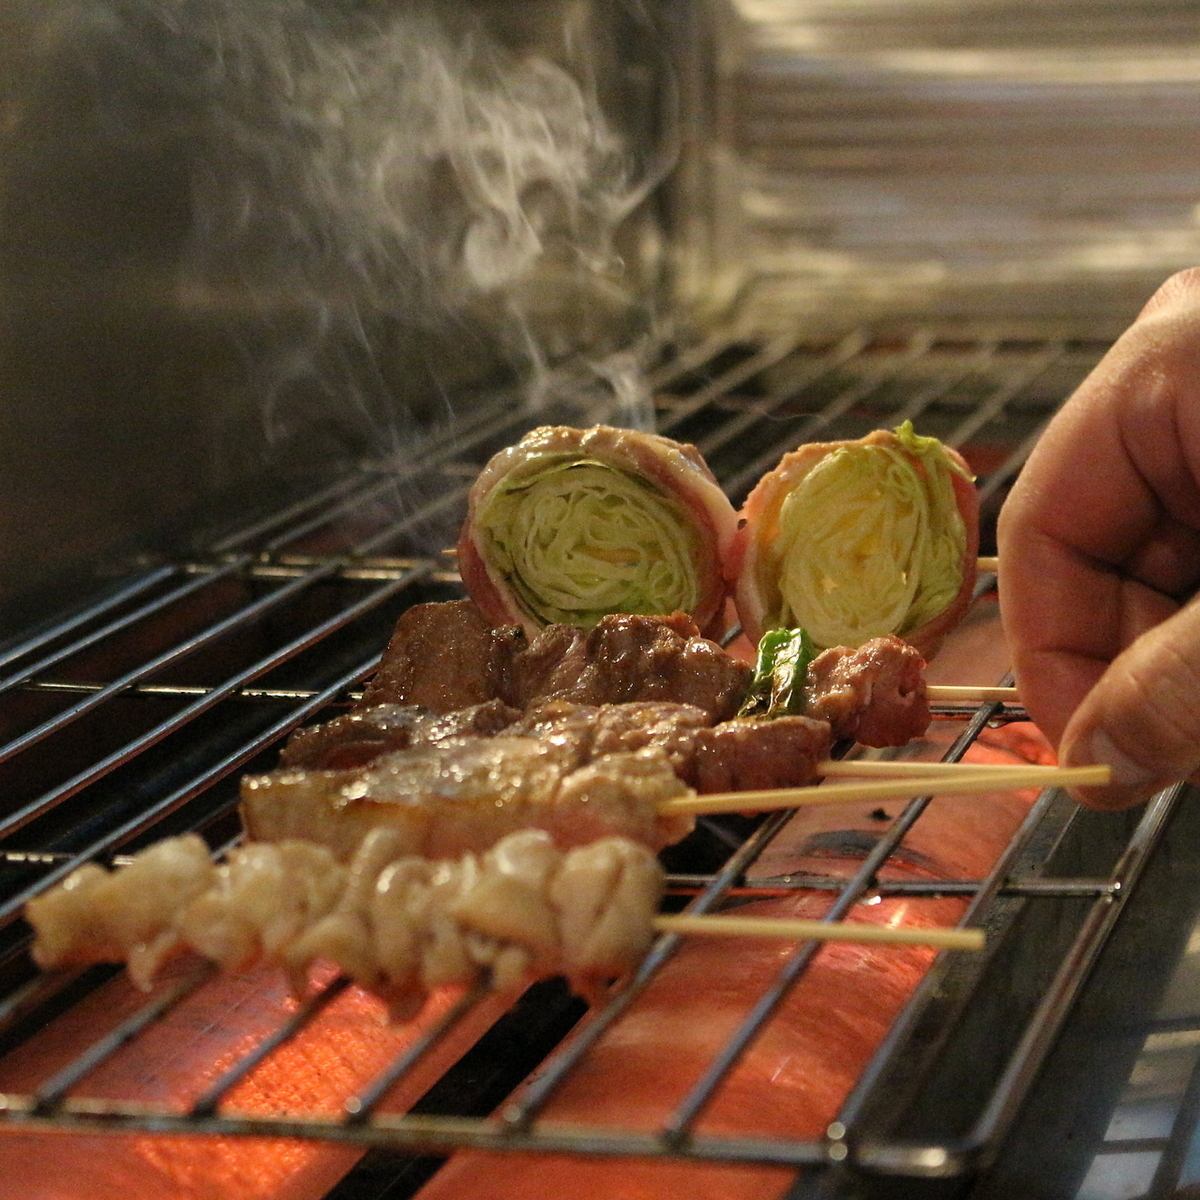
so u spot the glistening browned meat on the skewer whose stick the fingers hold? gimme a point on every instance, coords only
(466, 795)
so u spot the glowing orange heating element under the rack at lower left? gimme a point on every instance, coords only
(176, 1060)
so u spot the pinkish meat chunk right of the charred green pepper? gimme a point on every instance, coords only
(875, 695)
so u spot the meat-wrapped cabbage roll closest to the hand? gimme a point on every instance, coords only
(860, 539)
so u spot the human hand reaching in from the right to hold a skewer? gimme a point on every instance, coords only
(1100, 551)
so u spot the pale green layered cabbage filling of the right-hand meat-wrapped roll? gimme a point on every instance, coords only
(871, 542)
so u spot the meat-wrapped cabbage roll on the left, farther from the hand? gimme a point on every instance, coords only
(571, 525)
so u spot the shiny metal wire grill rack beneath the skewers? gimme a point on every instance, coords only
(267, 551)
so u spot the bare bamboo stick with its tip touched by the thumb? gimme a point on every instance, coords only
(1001, 778)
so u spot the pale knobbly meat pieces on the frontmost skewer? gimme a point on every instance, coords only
(398, 926)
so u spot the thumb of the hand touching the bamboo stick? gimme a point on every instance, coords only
(1143, 717)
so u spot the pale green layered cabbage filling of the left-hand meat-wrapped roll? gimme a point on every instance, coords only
(577, 539)
